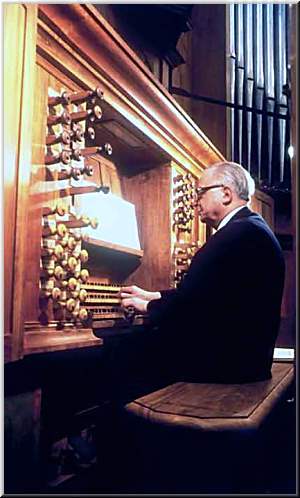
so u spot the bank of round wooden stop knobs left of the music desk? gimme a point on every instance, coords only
(62, 255)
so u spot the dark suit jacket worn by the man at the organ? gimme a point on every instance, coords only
(221, 323)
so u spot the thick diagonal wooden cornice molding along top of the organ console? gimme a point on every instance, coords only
(76, 35)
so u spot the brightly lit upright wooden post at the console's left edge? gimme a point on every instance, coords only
(20, 44)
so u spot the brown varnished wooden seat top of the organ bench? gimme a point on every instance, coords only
(213, 407)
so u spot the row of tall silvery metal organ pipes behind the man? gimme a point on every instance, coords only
(257, 66)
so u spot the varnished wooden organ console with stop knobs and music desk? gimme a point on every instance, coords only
(89, 119)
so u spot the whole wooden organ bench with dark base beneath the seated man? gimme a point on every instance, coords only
(197, 437)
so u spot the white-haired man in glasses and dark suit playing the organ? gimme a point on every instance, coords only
(221, 323)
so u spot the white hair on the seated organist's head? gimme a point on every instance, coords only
(235, 176)
